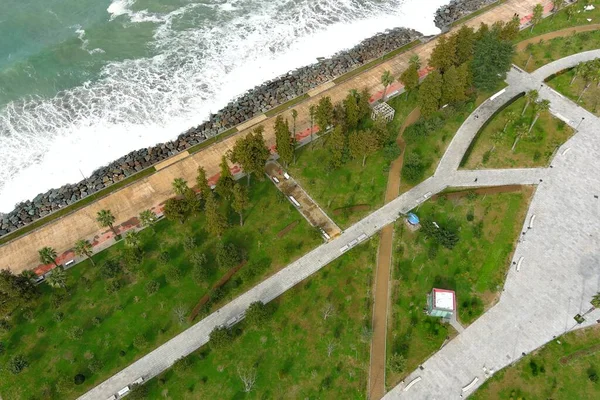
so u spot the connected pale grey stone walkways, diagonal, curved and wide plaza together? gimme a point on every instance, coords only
(559, 256)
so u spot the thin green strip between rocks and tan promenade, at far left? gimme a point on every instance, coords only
(76, 206)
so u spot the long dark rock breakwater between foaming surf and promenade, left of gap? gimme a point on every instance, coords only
(254, 102)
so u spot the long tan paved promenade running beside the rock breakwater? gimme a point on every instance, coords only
(21, 253)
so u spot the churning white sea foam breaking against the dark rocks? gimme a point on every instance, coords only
(45, 143)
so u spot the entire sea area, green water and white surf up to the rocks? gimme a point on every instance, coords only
(83, 82)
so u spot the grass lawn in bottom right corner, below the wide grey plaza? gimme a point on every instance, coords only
(565, 369)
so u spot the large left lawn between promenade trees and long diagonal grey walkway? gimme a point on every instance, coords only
(131, 322)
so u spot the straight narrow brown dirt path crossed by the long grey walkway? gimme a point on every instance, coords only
(382, 275)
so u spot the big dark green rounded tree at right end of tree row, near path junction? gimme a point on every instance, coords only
(491, 60)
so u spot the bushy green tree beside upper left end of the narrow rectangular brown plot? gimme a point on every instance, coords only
(252, 153)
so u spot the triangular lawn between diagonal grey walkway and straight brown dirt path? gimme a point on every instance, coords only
(290, 351)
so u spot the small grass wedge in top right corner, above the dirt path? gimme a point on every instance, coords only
(561, 21)
